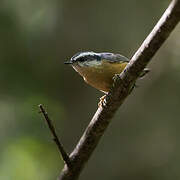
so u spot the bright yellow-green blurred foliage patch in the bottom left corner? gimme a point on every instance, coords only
(20, 160)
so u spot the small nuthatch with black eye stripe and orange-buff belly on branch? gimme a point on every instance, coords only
(98, 69)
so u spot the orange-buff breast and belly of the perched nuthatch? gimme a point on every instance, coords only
(100, 77)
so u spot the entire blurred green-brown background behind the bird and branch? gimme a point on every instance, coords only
(36, 38)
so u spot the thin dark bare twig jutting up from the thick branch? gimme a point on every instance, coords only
(55, 137)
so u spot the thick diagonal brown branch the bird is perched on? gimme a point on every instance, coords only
(120, 91)
